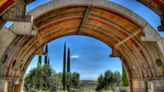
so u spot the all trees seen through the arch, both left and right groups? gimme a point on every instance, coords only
(43, 77)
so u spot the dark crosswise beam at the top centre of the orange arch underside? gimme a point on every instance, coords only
(85, 19)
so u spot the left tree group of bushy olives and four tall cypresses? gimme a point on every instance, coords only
(43, 77)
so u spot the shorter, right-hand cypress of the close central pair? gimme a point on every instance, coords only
(68, 70)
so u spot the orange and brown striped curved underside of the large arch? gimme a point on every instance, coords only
(112, 28)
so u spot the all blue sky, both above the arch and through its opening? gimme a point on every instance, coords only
(90, 57)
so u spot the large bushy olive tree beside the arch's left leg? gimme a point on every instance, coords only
(39, 78)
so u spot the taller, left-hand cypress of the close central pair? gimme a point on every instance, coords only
(64, 68)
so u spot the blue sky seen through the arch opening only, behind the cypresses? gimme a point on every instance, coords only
(89, 56)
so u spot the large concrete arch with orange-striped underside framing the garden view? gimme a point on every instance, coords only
(131, 38)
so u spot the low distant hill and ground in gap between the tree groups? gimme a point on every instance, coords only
(88, 84)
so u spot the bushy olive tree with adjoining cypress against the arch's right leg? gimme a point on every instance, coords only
(112, 80)
